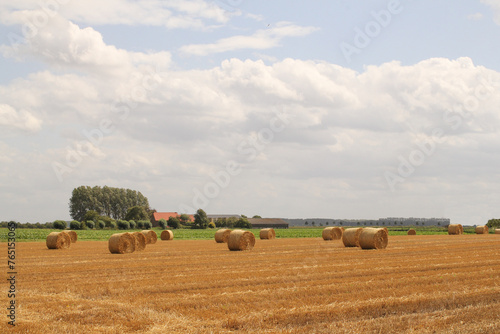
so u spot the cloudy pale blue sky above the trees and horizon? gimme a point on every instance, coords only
(292, 109)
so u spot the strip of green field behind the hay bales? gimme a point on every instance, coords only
(23, 234)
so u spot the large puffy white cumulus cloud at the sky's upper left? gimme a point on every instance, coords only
(62, 43)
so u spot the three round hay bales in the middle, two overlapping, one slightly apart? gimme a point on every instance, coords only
(240, 239)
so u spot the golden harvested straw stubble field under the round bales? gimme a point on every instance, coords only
(418, 284)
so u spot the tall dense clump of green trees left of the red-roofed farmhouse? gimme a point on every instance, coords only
(115, 203)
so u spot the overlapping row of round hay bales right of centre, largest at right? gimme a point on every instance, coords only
(364, 237)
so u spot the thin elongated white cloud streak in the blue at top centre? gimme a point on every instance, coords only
(262, 39)
